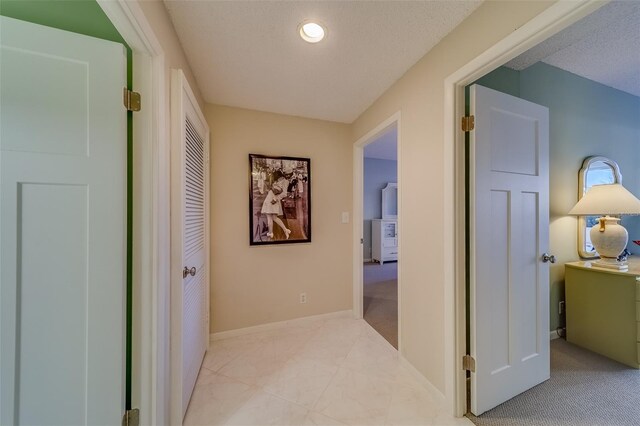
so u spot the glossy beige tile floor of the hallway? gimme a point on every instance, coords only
(336, 371)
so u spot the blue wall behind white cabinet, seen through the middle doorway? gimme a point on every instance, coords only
(377, 173)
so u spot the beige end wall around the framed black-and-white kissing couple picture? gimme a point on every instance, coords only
(254, 285)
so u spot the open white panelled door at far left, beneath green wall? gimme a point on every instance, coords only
(63, 211)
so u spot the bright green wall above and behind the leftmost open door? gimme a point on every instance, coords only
(87, 18)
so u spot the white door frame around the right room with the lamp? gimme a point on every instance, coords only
(557, 17)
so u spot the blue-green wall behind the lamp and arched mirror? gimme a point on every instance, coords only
(585, 118)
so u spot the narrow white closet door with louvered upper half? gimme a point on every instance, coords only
(190, 242)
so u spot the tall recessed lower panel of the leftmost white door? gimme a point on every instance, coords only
(52, 251)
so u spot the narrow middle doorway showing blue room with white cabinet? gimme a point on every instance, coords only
(379, 267)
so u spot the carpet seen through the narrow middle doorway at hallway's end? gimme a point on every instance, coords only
(381, 299)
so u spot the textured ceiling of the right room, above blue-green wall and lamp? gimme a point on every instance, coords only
(603, 47)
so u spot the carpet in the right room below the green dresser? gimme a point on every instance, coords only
(585, 389)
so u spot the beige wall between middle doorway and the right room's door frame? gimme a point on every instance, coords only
(419, 95)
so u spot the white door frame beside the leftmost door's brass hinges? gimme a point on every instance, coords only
(150, 246)
